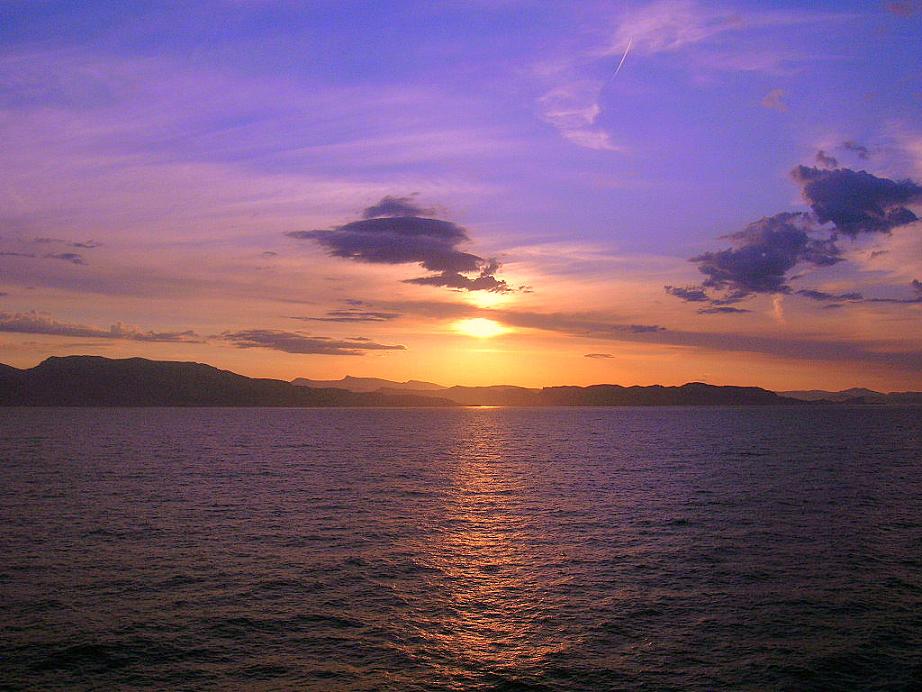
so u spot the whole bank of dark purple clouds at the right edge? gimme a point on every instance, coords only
(843, 202)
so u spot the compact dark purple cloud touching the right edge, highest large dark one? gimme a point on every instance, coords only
(856, 201)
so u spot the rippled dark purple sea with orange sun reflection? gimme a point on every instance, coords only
(474, 548)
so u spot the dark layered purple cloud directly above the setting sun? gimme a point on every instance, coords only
(382, 237)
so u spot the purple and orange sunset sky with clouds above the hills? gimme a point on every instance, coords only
(531, 193)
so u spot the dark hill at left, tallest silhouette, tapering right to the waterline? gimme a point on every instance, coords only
(97, 381)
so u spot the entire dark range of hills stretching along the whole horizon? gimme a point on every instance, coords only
(98, 381)
